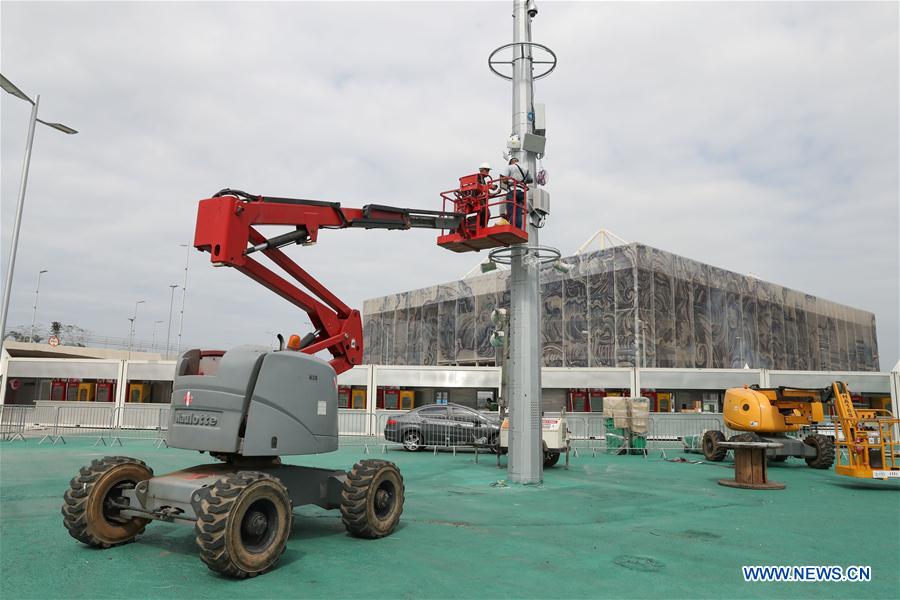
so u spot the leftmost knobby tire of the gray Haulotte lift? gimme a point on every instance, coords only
(84, 514)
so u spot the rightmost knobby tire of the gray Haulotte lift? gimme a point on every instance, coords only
(372, 499)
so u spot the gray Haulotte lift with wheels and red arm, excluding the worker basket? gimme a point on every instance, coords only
(250, 405)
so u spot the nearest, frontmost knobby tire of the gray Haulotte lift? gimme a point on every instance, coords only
(231, 513)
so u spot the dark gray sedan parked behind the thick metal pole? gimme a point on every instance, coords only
(443, 425)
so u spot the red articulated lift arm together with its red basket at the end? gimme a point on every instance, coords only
(226, 225)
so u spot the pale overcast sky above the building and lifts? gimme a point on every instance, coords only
(757, 137)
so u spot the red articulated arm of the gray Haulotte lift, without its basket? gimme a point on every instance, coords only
(227, 229)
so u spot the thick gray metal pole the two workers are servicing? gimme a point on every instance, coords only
(525, 463)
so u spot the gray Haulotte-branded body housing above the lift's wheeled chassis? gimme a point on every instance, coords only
(257, 402)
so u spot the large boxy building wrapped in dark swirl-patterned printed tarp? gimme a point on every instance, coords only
(629, 305)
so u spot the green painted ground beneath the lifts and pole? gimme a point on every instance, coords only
(608, 527)
